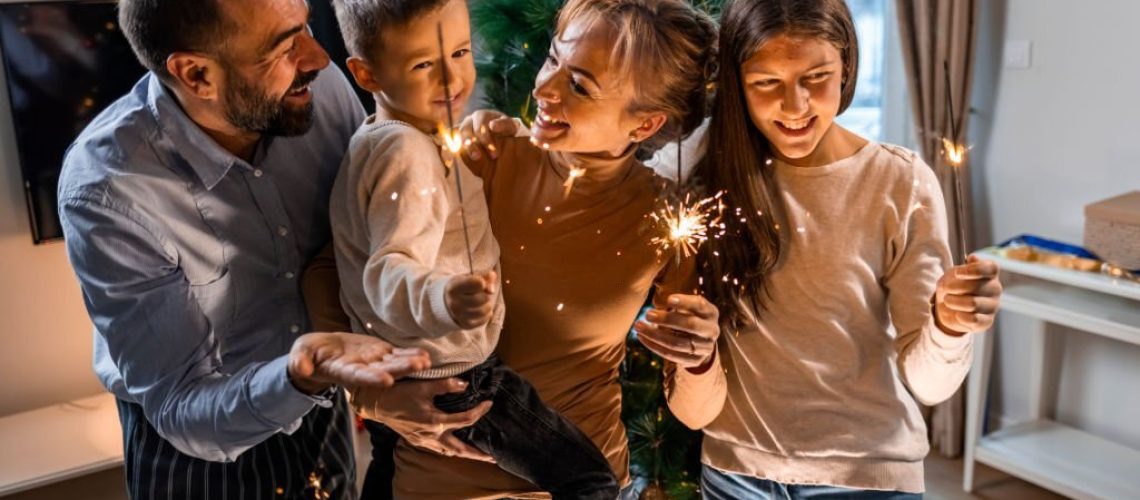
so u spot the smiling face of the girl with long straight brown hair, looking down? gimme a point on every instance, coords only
(793, 88)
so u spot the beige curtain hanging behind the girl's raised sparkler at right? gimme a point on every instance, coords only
(935, 34)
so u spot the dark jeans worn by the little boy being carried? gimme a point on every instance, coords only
(526, 437)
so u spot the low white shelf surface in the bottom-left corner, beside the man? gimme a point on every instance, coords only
(60, 442)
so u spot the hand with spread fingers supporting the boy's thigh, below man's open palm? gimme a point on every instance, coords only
(409, 409)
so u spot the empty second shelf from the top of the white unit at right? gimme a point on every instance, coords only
(1097, 314)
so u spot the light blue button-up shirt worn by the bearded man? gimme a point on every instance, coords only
(190, 260)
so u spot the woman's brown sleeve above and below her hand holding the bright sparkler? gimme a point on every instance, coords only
(695, 398)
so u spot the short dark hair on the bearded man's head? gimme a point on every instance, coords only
(158, 29)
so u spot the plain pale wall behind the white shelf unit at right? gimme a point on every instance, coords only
(1049, 141)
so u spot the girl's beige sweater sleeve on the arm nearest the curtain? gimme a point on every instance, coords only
(932, 363)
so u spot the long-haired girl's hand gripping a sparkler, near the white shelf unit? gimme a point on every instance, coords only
(967, 298)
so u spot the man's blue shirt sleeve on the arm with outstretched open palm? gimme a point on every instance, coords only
(162, 343)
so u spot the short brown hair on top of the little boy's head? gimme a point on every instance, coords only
(364, 22)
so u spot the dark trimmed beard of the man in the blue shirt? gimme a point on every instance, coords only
(251, 109)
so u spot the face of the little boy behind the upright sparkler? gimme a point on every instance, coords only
(408, 71)
